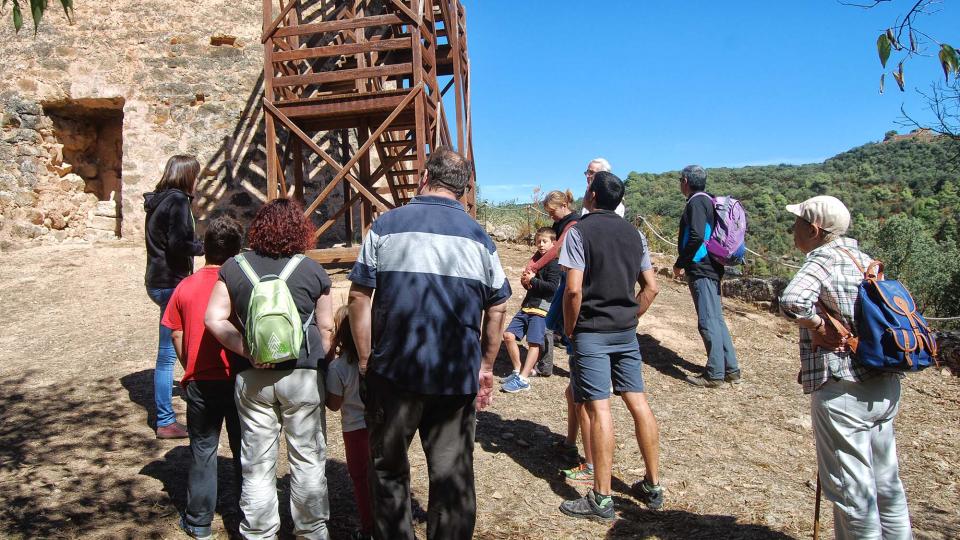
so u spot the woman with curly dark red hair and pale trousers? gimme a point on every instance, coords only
(288, 394)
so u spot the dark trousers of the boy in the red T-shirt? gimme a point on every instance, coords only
(209, 405)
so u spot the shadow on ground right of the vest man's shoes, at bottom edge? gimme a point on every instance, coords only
(635, 522)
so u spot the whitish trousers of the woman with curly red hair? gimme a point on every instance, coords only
(266, 400)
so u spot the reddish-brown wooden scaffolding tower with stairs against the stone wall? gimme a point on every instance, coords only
(381, 70)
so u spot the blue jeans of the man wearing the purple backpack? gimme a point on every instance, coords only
(721, 356)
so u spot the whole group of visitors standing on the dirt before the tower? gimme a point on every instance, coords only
(413, 351)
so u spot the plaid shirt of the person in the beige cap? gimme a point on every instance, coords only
(828, 275)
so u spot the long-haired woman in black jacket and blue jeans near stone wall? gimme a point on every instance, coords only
(171, 246)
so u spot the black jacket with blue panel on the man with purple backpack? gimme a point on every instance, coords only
(696, 225)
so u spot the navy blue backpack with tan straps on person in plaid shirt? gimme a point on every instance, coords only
(891, 334)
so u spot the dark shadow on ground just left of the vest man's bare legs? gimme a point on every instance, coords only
(533, 447)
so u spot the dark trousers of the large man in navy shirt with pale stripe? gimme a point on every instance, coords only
(447, 427)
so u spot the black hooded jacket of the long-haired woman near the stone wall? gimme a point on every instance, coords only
(171, 244)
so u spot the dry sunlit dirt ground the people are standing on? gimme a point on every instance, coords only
(78, 457)
